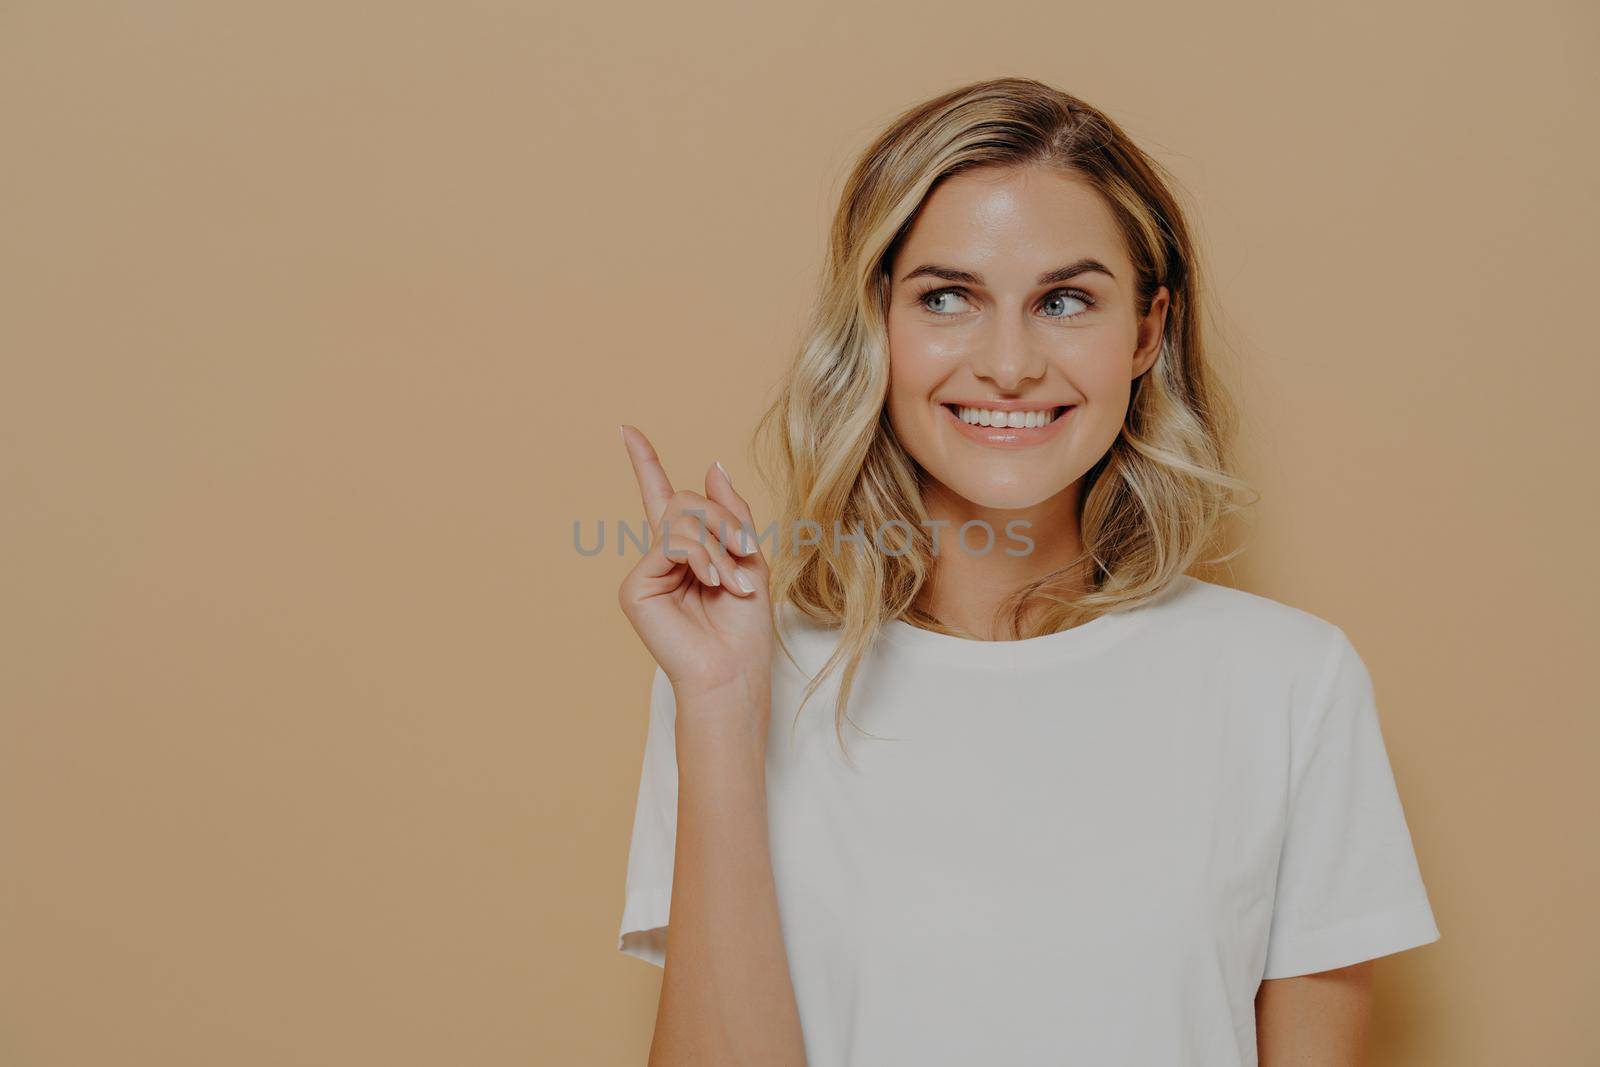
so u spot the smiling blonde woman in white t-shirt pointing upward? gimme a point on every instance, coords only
(1102, 812)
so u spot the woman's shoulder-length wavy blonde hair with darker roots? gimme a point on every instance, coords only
(1151, 508)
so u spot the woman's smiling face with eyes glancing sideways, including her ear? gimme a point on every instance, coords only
(1012, 295)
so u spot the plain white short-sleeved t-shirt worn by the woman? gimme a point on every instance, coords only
(1079, 849)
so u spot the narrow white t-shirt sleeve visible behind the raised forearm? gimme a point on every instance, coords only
(650, 855)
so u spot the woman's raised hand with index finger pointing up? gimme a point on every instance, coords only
(698, 597)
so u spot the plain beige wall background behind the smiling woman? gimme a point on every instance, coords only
(321, 743)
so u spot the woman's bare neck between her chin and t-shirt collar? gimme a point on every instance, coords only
(966, 588)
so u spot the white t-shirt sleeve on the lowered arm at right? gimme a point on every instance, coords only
(1350, 887)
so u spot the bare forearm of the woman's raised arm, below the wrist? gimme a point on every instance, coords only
(726, 996)
